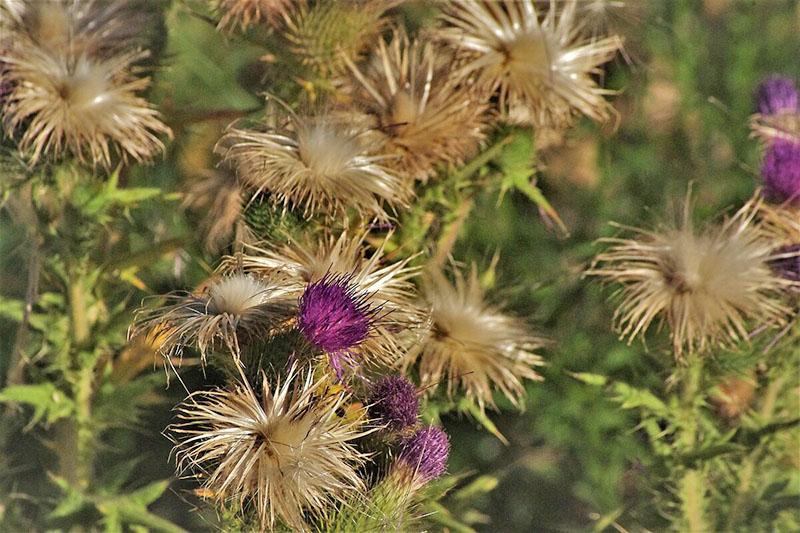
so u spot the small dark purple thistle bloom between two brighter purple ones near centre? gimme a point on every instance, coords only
(393, 402)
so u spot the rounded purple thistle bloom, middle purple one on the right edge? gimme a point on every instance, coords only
(781, 171)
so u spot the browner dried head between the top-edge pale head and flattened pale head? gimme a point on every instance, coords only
(421, 113)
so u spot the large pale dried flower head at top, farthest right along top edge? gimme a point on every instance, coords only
(542, 63)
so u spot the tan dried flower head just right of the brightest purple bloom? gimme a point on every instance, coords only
(472, 344)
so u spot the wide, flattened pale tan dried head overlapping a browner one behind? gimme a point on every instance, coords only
(316, 164)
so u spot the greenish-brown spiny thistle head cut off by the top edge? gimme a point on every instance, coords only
(324, 32)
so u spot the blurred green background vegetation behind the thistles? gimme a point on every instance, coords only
(574, 460)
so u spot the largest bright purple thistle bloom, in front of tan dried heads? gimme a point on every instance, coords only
(335, 317)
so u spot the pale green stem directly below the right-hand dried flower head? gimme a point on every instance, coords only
(692, 486)
